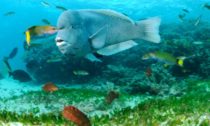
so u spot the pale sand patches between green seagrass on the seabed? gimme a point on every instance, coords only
(10, 88)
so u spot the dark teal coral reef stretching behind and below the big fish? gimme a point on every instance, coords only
(178, 39)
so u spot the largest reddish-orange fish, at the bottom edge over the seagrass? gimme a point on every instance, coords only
(75, 115)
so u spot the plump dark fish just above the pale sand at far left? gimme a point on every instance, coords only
(20, 75)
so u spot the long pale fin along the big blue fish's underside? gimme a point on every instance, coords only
(116, 48)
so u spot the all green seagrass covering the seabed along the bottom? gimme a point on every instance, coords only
(190, 109)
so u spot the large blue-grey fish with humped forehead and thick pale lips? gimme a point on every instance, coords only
(91, 33)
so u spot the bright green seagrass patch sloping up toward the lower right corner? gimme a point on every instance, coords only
(185, 110)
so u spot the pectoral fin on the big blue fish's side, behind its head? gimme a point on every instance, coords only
(97, 40)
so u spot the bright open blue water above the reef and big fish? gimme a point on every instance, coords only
(30, 12)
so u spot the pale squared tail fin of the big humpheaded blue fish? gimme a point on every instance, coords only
(149, 29)
